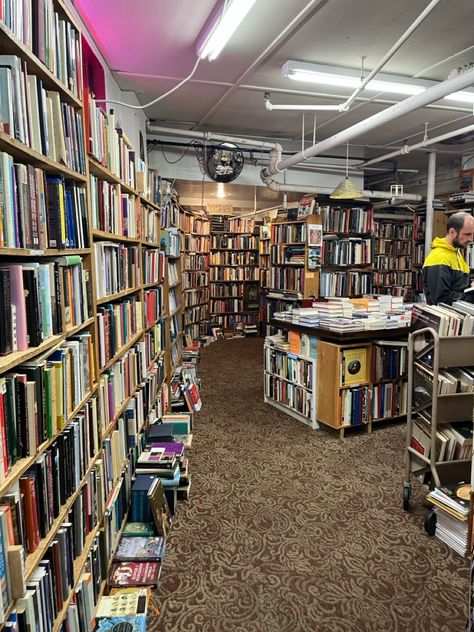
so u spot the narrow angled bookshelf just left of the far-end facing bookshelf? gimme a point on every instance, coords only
(196, 248)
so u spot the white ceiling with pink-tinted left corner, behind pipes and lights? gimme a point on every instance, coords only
(227, 95)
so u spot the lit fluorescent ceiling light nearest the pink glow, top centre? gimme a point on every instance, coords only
(220, 27)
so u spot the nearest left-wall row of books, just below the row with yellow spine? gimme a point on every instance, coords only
(39, 300)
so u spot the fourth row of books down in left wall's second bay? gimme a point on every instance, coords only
(117, 324)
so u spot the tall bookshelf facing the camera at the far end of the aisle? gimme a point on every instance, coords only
(233, 271)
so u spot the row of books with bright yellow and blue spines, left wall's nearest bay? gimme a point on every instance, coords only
(39, 210)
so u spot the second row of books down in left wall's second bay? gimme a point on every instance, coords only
(113, 211)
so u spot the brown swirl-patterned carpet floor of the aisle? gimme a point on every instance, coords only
(290, 530)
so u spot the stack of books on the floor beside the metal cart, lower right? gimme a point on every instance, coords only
(452, 512)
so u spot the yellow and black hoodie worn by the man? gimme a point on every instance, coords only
(445, 273)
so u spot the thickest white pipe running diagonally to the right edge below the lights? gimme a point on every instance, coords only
(415, 102)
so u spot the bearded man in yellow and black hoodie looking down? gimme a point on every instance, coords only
(445, 272)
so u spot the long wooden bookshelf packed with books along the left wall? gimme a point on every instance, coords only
(83, 360)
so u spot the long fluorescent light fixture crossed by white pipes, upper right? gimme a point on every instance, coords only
(349, 78)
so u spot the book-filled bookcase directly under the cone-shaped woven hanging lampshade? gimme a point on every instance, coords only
(347, 261)
